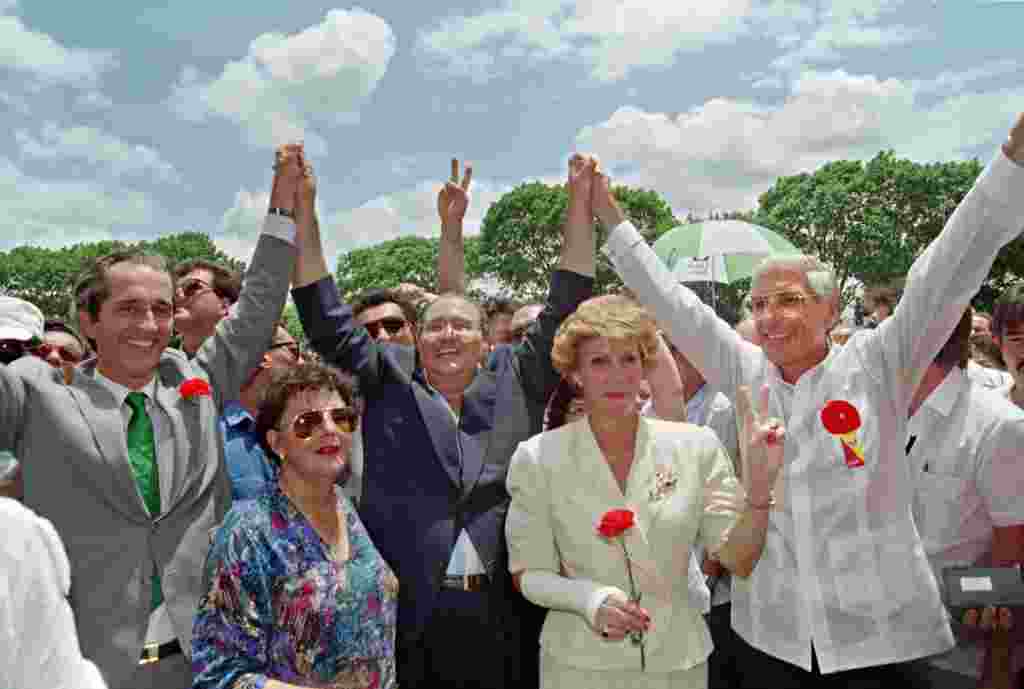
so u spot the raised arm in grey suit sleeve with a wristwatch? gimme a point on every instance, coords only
(240, 340)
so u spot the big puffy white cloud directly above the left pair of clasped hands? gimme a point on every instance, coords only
(288, 85)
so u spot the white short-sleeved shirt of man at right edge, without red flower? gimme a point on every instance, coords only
(966, 459)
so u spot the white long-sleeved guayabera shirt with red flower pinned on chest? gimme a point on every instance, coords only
(843, 566)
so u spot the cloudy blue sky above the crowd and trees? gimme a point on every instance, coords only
(130, 120)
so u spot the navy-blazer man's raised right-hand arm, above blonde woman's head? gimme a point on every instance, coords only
(572, 284)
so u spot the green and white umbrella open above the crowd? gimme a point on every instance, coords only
(718, 251)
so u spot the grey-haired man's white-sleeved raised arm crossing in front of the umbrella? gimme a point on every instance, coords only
(719, 354)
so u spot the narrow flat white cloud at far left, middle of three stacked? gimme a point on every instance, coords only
(87, 144)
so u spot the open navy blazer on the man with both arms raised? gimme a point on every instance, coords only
(424, 478)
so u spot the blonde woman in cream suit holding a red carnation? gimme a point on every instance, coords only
(675, 479)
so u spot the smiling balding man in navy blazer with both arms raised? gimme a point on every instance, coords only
(439, 435)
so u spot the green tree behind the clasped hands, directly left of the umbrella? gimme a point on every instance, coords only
(521, 238)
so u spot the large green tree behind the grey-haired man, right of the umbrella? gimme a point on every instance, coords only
(871, 221)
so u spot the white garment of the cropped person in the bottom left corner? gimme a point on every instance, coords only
(38, 641)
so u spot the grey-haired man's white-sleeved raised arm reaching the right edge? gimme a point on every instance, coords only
(947, 277)
